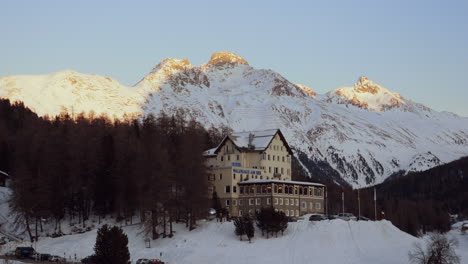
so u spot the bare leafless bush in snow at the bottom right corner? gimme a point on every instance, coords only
(439, 250)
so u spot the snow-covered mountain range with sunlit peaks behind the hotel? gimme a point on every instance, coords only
(362, 134)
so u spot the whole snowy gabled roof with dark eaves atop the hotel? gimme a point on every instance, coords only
(252, 141)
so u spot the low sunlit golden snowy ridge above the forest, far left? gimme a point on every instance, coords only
(71, 92)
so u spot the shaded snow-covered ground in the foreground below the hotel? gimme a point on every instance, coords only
(334, 241)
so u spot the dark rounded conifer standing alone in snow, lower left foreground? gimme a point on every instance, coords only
(111, 246)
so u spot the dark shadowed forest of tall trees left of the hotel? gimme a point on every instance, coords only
(76, 167)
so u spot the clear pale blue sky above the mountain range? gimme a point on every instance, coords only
(416, 48)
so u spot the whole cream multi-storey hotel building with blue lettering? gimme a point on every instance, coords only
(251, 170)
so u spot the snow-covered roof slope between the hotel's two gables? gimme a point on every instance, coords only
(260, 139)
